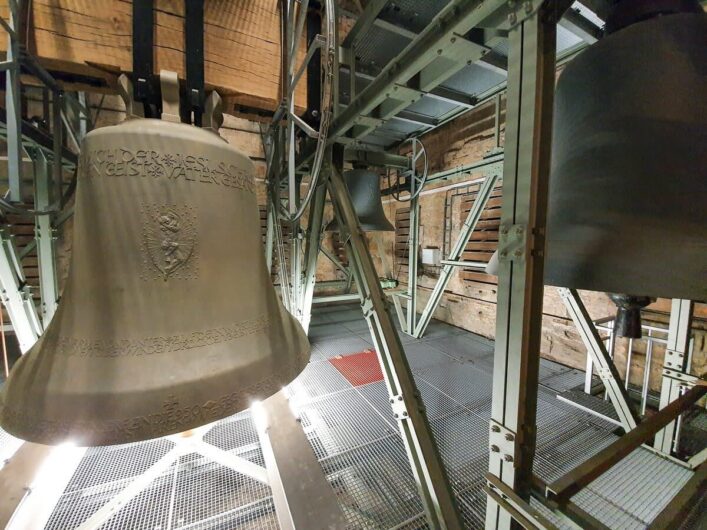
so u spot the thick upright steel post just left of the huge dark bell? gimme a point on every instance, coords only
(531, 76)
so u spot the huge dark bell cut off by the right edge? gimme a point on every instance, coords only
(628, 183)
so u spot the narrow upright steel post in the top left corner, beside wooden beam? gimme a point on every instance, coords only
(13, 105)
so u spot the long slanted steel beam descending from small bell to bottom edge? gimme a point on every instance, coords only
(406, 401)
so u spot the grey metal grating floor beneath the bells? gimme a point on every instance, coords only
(356, 440)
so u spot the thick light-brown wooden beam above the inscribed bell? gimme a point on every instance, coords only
(93, 38)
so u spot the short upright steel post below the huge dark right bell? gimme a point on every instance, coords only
(676, 359)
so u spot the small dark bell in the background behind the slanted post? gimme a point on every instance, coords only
(364, 187)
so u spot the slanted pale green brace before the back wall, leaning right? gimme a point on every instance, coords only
(457, 250)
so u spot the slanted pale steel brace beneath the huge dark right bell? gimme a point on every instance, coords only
(600, 357)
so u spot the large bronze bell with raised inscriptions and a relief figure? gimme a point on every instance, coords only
(168, 319)
